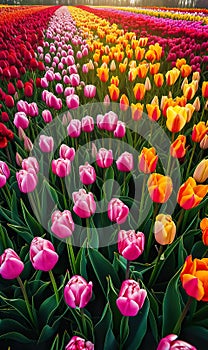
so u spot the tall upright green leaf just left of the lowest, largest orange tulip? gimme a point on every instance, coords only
(171, 306)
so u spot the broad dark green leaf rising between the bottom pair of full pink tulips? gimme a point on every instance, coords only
(102, 269)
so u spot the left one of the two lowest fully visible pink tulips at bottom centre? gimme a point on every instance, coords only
(77, 292)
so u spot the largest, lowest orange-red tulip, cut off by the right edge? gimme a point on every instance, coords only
(194, 277)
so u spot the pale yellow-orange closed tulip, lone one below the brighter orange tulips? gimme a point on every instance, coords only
(164, 229)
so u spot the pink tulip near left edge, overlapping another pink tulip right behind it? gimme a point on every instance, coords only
(27, 180)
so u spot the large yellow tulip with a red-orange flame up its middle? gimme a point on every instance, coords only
(176, 118)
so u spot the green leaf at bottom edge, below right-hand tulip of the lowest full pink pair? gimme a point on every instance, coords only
(137, 328)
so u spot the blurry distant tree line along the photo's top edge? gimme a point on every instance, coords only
(133, 3)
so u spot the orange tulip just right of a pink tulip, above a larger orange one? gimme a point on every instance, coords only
(147, 160)
